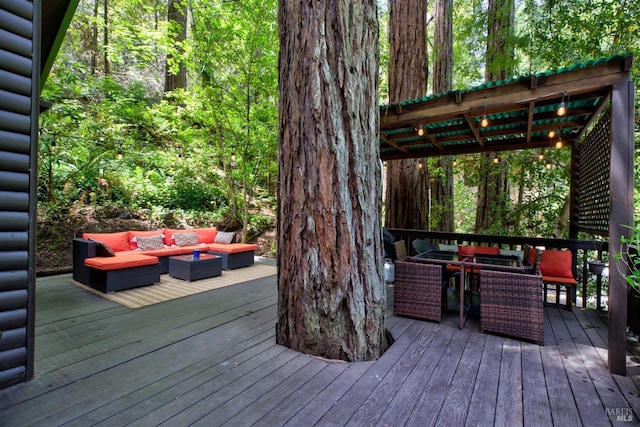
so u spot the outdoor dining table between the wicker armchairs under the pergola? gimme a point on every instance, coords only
(472, 264)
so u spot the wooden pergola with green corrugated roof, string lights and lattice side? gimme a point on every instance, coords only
(598, 127)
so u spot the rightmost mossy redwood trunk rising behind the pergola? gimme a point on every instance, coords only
(493, 191)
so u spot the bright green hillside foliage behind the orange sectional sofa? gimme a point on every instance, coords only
(117, 139)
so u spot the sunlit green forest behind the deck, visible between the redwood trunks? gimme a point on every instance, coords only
(166, 113)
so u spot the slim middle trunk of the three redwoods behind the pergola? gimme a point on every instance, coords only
(442, 207)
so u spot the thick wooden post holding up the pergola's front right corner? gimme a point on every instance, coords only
(621, 185)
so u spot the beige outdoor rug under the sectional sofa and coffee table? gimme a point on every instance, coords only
(170, 288)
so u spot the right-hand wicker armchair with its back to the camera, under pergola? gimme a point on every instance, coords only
(511, 304)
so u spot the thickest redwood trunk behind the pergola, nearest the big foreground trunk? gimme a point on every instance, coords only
(407, 192)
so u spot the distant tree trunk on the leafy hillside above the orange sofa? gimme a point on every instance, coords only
(176, 71)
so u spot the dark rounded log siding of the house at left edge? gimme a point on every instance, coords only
(19, 109)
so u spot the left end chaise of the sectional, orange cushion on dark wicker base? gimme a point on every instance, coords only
(110, 274)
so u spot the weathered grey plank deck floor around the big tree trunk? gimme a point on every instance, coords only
(211, 359)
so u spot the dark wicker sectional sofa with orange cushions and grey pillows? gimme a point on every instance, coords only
(116, 261)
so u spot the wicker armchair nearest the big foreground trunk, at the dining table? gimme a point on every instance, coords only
(417, 290)
